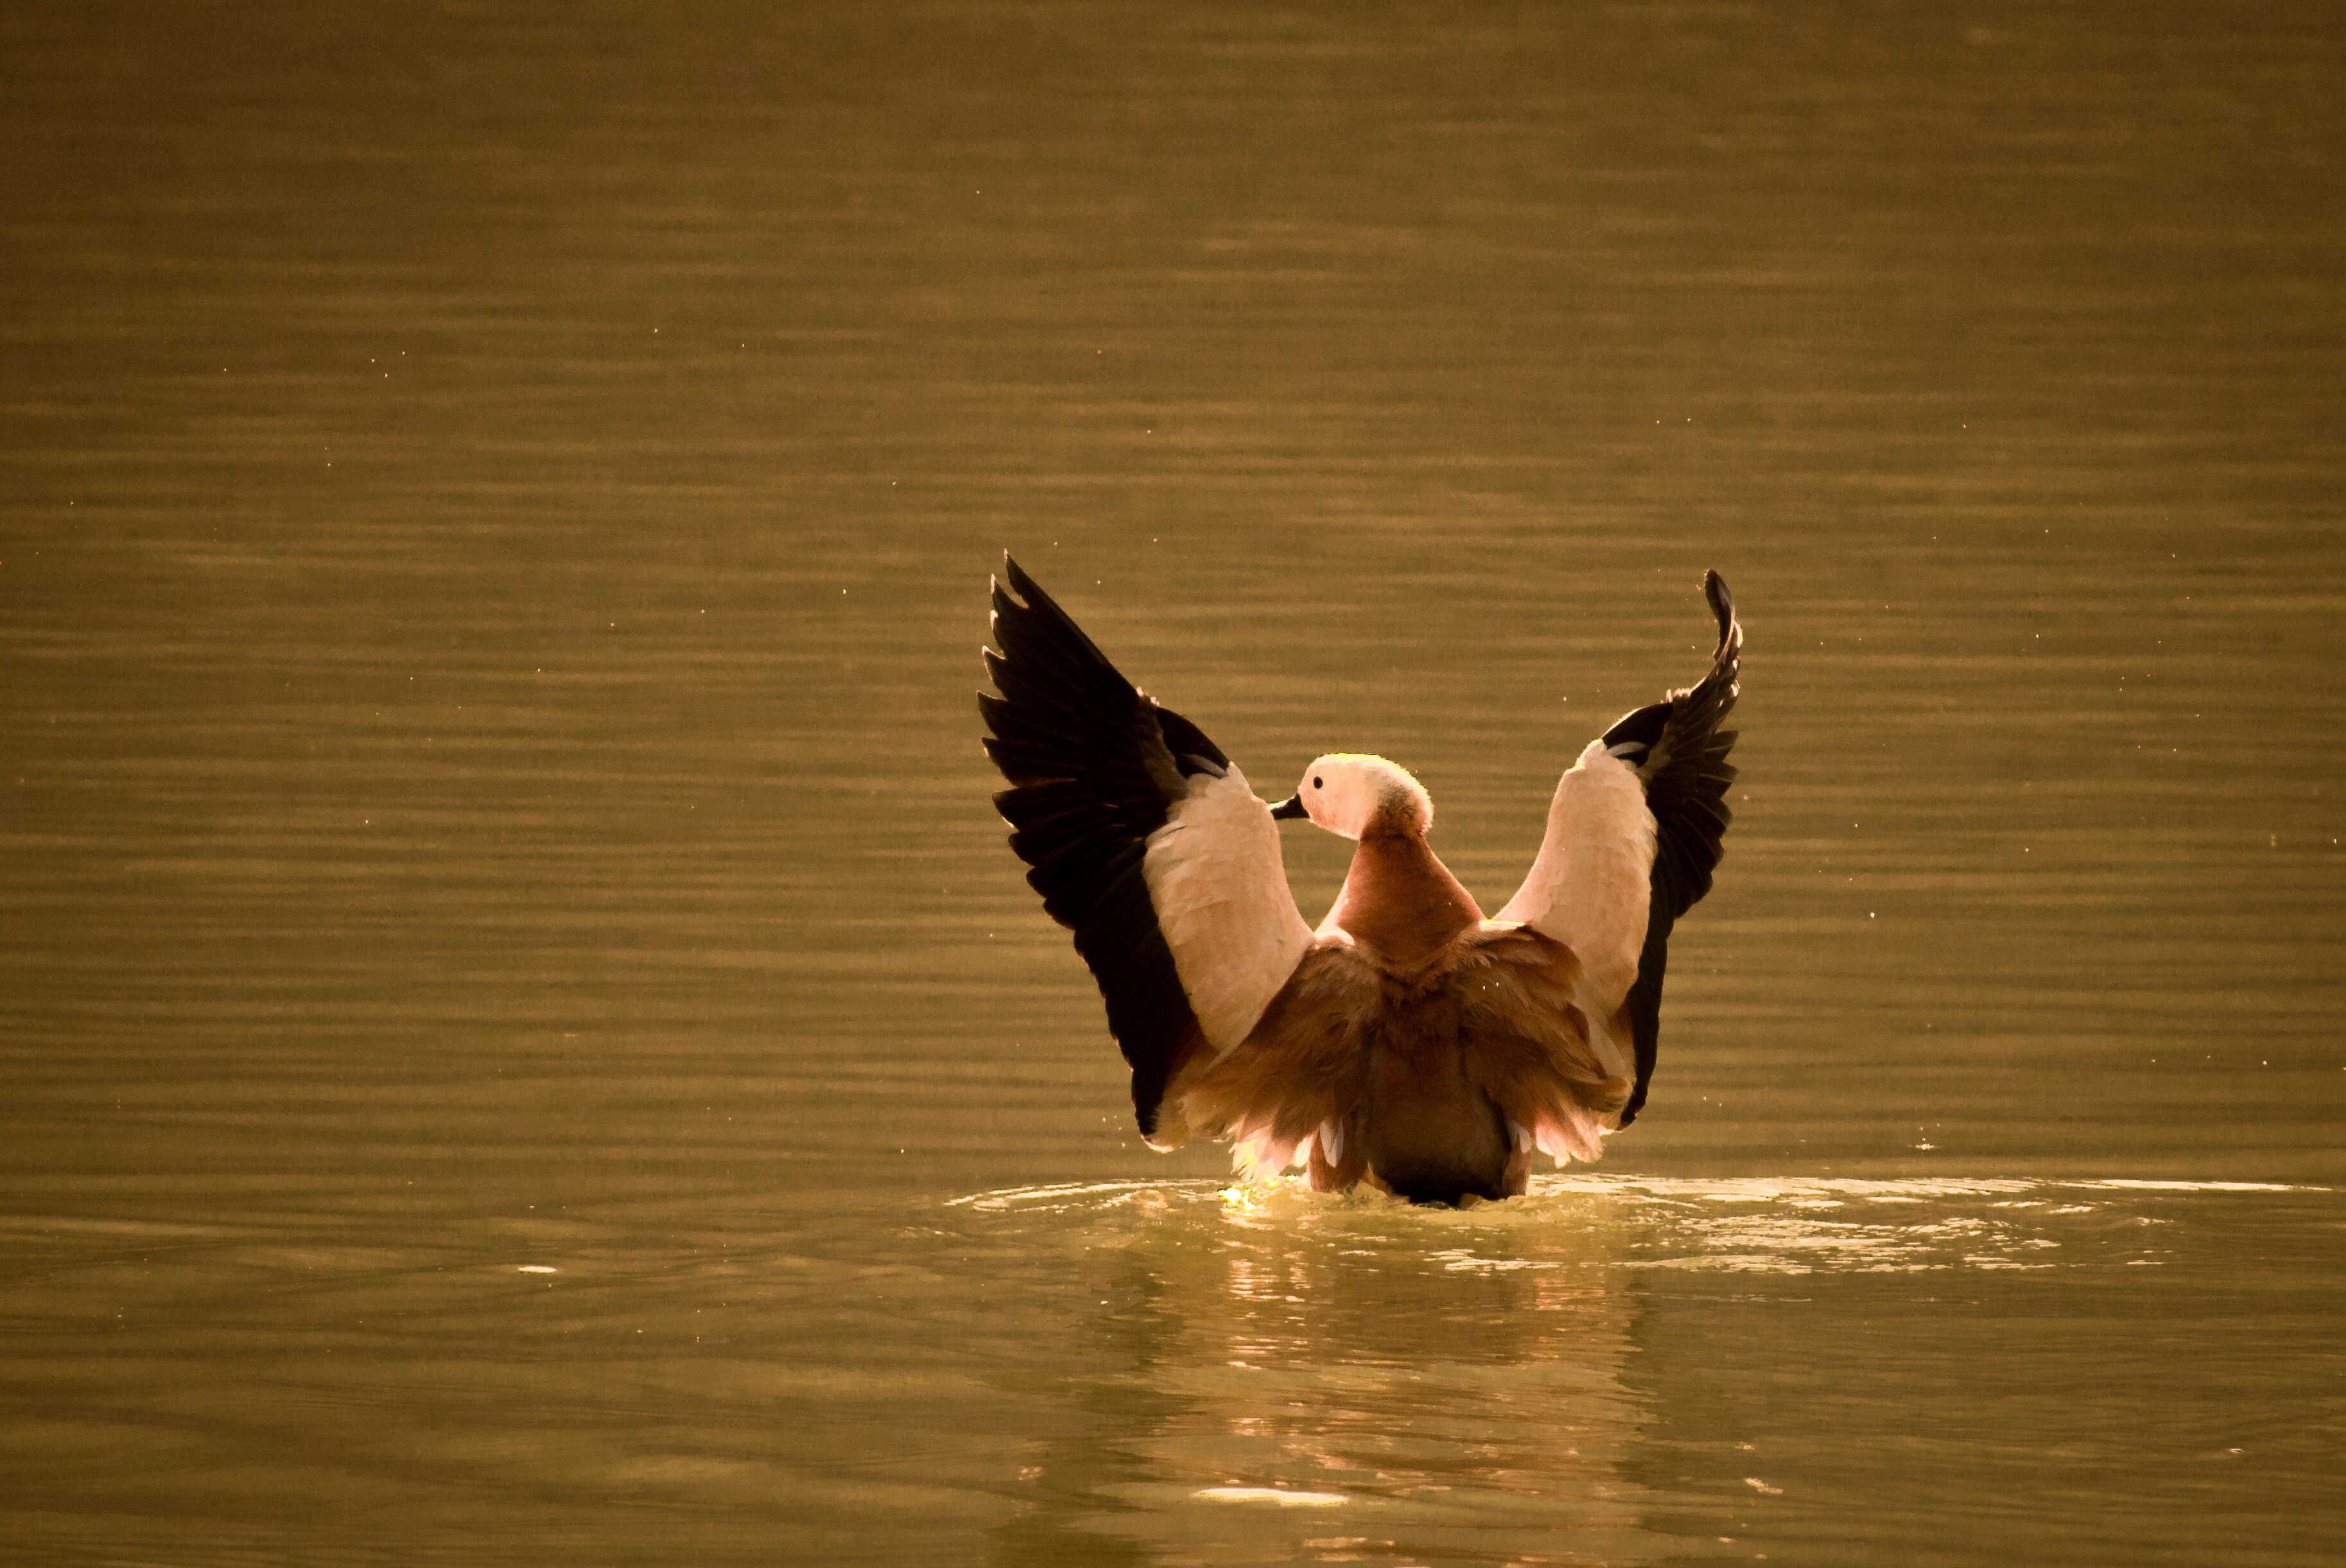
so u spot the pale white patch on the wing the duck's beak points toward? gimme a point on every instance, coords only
(1223, 905)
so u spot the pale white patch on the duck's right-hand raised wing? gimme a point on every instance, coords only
(1592, 881)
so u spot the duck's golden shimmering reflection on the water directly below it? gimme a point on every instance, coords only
(1320, 1351)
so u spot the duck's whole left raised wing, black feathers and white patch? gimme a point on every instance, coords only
(1141, 839)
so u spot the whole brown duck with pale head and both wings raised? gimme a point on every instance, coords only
(1406, 1043)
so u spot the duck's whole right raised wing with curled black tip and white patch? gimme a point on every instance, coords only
(1634, 837)
